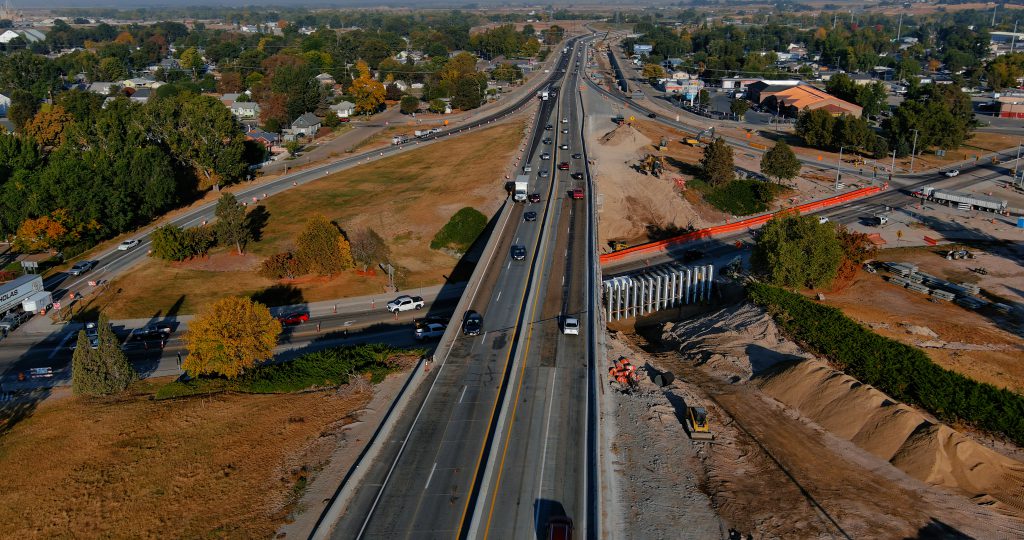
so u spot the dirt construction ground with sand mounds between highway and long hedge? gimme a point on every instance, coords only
(724, 428)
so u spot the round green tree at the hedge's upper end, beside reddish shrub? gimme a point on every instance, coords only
(798, 252)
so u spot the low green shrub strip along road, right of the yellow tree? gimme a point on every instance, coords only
(330, 367)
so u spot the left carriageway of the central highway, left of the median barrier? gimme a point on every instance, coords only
(428, 482)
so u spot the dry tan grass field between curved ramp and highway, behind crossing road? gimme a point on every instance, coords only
(406, 198)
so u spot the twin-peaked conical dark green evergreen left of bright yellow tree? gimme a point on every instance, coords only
(101, 371)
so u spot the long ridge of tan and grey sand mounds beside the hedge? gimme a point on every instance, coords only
(746, 342)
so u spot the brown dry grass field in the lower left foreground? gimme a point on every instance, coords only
(225, 467)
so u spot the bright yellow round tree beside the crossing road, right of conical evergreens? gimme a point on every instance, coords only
(229, 338)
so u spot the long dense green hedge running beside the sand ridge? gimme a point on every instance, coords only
(898, 369)
